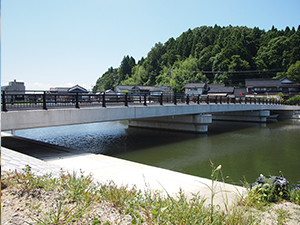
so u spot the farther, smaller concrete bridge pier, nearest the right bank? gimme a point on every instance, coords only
(245, 116)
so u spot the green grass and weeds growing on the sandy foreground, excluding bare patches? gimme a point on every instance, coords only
(77, 194)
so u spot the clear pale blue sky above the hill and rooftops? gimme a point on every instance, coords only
(54, 43)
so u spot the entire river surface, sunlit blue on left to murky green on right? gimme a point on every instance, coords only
(245, 150)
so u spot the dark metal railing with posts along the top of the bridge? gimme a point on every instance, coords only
(45, 100)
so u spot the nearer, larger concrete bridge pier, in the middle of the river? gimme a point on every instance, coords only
(190, 123)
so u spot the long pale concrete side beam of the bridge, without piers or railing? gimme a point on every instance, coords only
(25, 119)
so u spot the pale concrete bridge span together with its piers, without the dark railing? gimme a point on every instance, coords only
(190, 116)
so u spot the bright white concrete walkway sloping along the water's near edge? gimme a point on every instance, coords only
(123, 172)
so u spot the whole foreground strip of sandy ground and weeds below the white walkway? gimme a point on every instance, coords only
(77, 199)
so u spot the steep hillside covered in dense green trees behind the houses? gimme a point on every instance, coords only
(214, 55)
